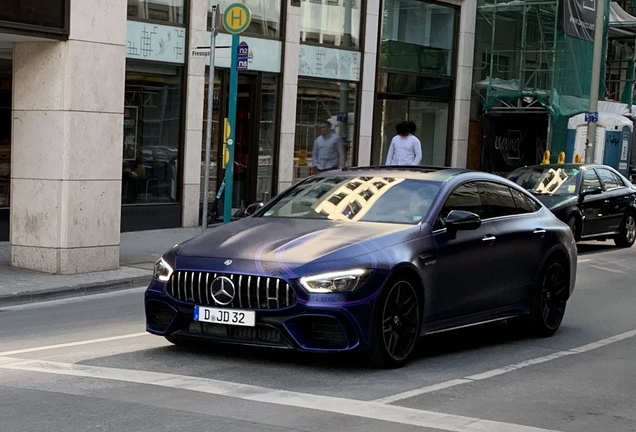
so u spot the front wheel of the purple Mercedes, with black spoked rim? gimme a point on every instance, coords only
(396, 325)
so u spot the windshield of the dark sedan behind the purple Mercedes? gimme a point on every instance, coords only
(548, 180)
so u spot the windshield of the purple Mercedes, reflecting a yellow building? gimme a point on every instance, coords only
(348, 198)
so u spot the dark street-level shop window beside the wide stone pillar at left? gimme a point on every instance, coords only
(152, 123)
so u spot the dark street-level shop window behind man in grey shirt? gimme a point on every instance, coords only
(319, 101)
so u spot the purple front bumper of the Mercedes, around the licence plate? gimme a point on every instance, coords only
(323, 323)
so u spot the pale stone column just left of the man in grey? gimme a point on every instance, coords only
(289, 99)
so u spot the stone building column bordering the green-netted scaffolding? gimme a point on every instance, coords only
(463, 82)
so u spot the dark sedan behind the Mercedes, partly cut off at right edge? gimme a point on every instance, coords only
(596, 201)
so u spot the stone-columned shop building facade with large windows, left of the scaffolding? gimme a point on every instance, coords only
(103, 111)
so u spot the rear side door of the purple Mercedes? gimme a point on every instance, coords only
(519, 248)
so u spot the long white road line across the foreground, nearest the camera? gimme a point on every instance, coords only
(350, 407)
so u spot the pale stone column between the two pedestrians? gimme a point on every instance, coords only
(367, 89)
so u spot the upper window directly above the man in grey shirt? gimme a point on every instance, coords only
(330, 22)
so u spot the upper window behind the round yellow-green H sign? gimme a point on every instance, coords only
(266, 20)
